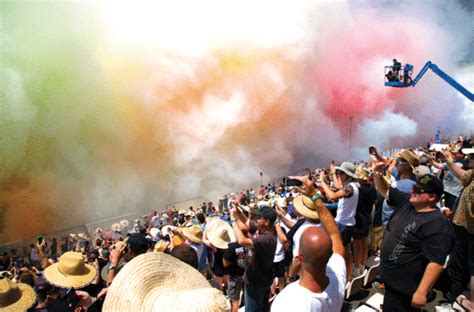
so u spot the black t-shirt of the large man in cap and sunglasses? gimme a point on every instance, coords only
(412, 239)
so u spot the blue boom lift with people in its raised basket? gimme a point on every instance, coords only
(400, 77)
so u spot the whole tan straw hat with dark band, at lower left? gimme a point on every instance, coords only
(70, 271)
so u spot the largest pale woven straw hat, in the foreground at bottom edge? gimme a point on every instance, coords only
(159, 282)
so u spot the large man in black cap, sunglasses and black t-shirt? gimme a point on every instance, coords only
(417, 240)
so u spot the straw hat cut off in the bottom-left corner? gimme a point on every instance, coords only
(15, 296)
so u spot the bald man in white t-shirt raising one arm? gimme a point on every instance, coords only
(321, 262)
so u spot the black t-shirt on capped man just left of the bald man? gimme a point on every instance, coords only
(258, 271)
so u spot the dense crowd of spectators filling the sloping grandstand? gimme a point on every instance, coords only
(290, 245)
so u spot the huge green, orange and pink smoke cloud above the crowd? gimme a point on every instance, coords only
(116, 107)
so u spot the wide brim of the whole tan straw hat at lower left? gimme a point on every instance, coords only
(58, 279)
